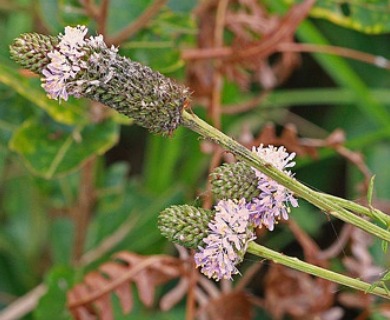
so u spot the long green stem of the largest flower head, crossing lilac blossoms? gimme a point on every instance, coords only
(196, 124)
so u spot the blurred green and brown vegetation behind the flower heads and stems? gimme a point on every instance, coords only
(81, 186)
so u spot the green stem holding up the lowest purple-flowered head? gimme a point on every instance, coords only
(297, 264)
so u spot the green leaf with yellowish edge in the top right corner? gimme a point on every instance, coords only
(369, 16)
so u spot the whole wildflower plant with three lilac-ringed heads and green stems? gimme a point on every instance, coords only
(256, 191)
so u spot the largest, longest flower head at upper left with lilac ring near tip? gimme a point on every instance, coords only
(73, 65)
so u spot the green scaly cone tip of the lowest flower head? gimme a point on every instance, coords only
(185, 225)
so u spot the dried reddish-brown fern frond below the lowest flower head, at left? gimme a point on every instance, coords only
(91, 299)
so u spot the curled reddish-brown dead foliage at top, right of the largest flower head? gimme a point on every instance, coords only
(246, 59)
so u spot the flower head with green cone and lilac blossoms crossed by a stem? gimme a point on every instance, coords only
(267, 200)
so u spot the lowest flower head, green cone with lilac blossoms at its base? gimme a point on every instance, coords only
(221, 236)
